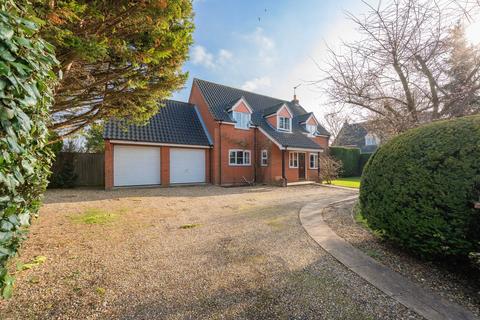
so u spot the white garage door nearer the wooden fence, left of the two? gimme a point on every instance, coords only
(136, 166)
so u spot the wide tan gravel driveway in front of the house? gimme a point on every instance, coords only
(186, 253)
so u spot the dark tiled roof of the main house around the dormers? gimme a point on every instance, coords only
(219, 96)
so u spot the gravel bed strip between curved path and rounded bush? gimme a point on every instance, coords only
(460, 286)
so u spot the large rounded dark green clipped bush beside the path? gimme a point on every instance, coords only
(418, 189)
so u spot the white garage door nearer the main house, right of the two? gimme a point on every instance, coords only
(187, 165)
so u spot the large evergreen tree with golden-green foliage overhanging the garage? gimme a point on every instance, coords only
(118, 58)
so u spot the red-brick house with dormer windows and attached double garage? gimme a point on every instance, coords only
(224, 136)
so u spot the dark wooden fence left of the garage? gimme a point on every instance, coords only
(89, 167)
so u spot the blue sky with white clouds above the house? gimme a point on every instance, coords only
(269, 46)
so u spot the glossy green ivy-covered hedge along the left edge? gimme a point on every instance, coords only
(25, 80)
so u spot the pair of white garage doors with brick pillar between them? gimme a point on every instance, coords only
(139, 165)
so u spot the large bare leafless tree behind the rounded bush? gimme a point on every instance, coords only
(398, 69)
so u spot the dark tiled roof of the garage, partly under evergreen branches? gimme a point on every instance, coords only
(175, 123)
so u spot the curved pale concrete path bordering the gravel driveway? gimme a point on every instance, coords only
(423, 302)
